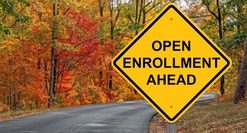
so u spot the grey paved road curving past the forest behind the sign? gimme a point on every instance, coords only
(124, 117)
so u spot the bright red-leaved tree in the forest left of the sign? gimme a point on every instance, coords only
(74, 55)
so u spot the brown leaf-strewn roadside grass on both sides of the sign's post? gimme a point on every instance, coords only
(210, 117)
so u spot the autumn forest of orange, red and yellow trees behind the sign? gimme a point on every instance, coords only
(58, 53)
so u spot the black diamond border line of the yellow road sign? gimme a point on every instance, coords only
(141, 34)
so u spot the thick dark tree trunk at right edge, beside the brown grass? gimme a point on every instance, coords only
(242, 79)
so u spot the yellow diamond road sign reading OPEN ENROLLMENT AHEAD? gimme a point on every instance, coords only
(171, 63)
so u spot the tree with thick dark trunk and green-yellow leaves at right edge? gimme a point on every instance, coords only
(238, 26)
